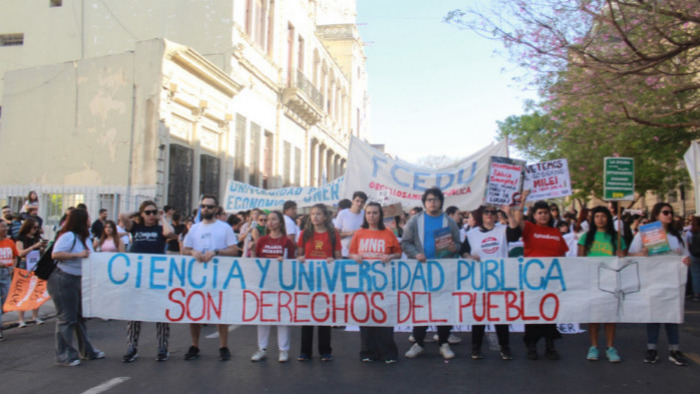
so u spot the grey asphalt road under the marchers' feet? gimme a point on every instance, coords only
(27, 366)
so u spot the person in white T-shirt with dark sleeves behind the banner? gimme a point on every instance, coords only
(489, 241)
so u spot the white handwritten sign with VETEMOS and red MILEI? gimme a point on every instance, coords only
(548, 179)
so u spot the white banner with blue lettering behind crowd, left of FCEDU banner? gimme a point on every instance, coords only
(242, 196)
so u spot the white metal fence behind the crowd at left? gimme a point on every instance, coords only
(55, 200)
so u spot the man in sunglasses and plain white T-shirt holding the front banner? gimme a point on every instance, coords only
(204, 241)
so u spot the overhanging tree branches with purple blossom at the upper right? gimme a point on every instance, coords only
(640, 58)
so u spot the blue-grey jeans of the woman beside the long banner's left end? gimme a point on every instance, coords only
(66, 292)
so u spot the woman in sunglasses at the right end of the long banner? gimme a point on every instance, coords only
(663, 212)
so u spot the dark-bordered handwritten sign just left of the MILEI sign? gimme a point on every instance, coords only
(505, 181)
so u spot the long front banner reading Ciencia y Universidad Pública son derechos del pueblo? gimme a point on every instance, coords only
(169, 288)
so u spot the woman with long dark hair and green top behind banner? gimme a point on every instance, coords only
(601, 240)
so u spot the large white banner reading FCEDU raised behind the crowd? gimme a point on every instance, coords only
(463, 183)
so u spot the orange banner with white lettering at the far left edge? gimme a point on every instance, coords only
(27, 292)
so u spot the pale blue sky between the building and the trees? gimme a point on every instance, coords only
(434, 89)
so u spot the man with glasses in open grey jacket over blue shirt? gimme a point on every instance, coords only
(419, 242)
